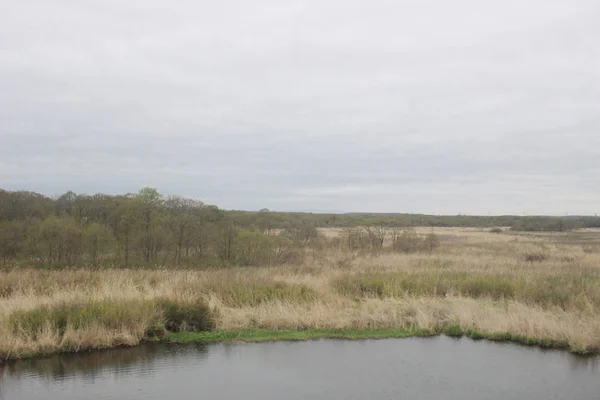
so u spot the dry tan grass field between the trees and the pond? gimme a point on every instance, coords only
(538, 288)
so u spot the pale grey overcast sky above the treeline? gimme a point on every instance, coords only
(432, 106)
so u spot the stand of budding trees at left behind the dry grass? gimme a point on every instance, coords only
(130, 230)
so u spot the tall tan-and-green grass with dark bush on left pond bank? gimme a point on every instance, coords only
(98, 324)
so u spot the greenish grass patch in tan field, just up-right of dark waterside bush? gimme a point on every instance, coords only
(253, 293)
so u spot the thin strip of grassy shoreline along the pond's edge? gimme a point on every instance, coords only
(275, 335)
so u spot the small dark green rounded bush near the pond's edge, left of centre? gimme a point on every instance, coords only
(194, 316)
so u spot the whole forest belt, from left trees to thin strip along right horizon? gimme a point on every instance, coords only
(147, 228)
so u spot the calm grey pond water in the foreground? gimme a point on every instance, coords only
(434, 368)
